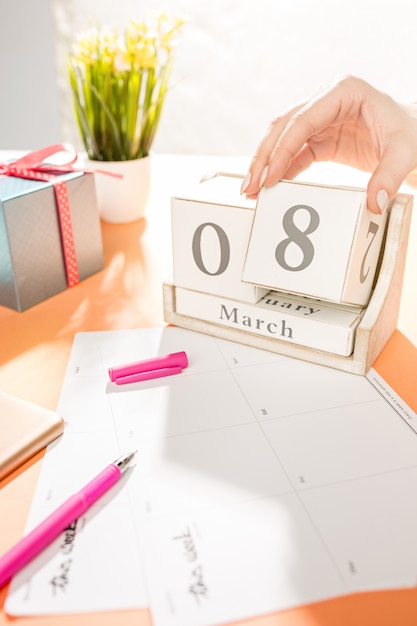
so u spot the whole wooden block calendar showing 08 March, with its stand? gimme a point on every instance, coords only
(307, 272)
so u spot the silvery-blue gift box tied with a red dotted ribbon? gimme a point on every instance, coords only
(50, 236)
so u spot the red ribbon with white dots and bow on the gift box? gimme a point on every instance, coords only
(33, 166)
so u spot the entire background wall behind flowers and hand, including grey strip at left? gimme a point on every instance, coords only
(240, 63)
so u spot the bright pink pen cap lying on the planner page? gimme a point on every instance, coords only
(156, 367)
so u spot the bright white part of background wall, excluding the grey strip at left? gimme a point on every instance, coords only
(242, 61)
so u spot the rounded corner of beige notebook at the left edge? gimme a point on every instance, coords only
(25, 428)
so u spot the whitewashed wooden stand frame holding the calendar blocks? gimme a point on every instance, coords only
(376, 326)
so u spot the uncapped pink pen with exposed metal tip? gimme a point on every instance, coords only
(42, 535)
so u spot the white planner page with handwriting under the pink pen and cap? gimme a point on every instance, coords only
(261, 483)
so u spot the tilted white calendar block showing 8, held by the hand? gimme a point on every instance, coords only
(315, 240)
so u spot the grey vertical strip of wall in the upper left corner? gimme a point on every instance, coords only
(29, 105)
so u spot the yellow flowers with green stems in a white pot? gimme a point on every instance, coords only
(119, 84)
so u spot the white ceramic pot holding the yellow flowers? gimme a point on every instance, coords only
(122, 200)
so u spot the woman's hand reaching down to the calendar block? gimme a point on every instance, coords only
(349, 122)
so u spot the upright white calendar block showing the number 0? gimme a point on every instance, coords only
(210, 236)
